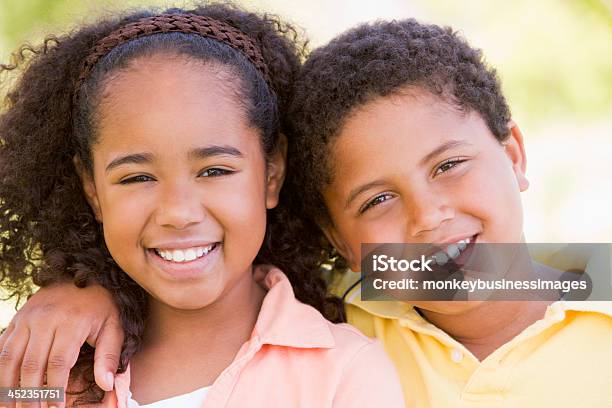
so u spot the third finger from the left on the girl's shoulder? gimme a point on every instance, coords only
(62, 357)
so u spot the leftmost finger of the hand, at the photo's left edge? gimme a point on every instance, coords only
(11, 356)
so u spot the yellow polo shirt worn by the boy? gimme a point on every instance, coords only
(562, 360)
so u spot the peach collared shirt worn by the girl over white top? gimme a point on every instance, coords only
(296, 358)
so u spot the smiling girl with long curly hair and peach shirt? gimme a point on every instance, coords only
(144, 154)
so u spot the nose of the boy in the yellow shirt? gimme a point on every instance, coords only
(427, 212)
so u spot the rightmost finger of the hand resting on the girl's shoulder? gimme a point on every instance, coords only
(107, 354)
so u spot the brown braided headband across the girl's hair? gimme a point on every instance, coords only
(182, 23)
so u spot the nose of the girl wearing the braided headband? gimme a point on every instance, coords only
(179, 207)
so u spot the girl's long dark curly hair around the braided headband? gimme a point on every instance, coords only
(48, 232)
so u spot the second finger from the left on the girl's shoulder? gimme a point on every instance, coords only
(35, 361)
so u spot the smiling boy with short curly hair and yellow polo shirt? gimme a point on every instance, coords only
(400, 133)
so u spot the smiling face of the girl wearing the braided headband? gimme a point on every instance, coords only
(180, 181)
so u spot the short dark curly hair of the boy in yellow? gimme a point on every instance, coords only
(371, 61)
